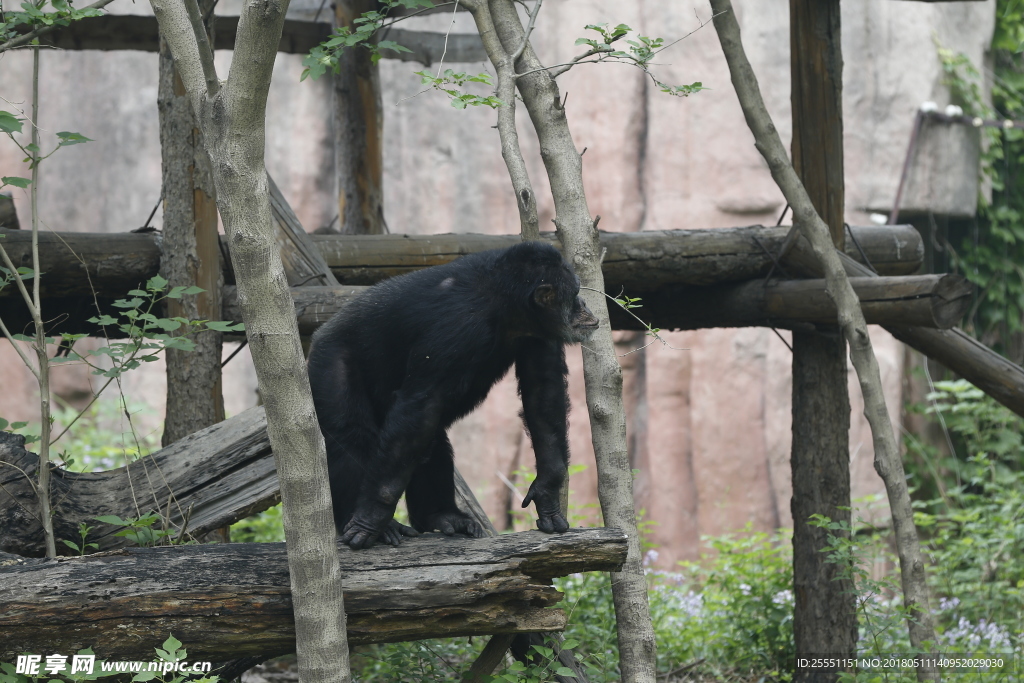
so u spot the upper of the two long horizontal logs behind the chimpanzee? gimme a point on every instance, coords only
(109, 265)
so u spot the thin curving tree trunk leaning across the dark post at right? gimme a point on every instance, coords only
(887, 460)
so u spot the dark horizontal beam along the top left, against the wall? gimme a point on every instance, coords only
(140, 32)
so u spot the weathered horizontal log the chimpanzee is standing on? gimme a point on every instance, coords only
(229, 601)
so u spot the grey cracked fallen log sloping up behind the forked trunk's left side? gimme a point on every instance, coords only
(205, 482)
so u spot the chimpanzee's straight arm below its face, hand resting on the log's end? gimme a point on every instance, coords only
(540, 367)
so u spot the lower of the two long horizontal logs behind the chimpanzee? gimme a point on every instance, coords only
(933, 302)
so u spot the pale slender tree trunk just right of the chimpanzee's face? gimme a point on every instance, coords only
(577, 232)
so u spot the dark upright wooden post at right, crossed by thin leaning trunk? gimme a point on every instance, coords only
(825, 611)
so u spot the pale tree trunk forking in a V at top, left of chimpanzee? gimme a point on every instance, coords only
(233, 118)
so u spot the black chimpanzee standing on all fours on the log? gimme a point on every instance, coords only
(399, 365)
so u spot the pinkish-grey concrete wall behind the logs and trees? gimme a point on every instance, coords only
(709, 425)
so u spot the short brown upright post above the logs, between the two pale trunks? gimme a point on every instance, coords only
(359, 130)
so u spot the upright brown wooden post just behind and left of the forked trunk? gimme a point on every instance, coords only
(191, 255)
